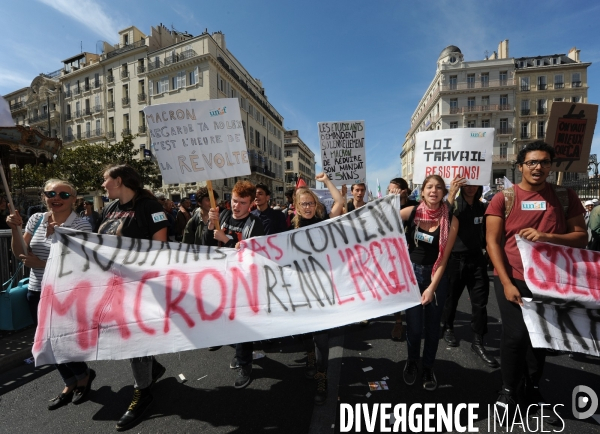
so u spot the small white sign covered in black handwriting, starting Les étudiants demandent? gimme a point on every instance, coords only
(343, 151)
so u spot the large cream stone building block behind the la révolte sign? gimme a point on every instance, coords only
(100, 97)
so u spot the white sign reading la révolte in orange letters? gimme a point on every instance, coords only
(198, 140)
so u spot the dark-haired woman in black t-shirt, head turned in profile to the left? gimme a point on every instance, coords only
(136, 214)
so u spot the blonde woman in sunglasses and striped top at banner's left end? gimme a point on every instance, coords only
(59, 198)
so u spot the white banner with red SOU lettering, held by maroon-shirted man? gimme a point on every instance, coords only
(565, 311)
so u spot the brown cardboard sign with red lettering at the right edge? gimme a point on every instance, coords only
(570, 132)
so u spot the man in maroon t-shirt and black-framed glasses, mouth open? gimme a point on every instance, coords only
(549, 221)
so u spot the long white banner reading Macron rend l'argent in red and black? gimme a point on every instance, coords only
(108, 297)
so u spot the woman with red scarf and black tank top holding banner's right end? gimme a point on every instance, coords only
(431, 232)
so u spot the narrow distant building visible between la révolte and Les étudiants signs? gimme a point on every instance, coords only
(299, 161)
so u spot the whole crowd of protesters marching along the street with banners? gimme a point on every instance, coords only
(452, 238)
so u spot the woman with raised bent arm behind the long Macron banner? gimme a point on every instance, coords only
(310, 211)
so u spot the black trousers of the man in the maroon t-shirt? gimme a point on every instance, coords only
(518, 358)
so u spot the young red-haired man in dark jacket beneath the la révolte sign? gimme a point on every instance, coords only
(236, 224)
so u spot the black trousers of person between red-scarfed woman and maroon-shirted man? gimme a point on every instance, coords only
(471, 271)
